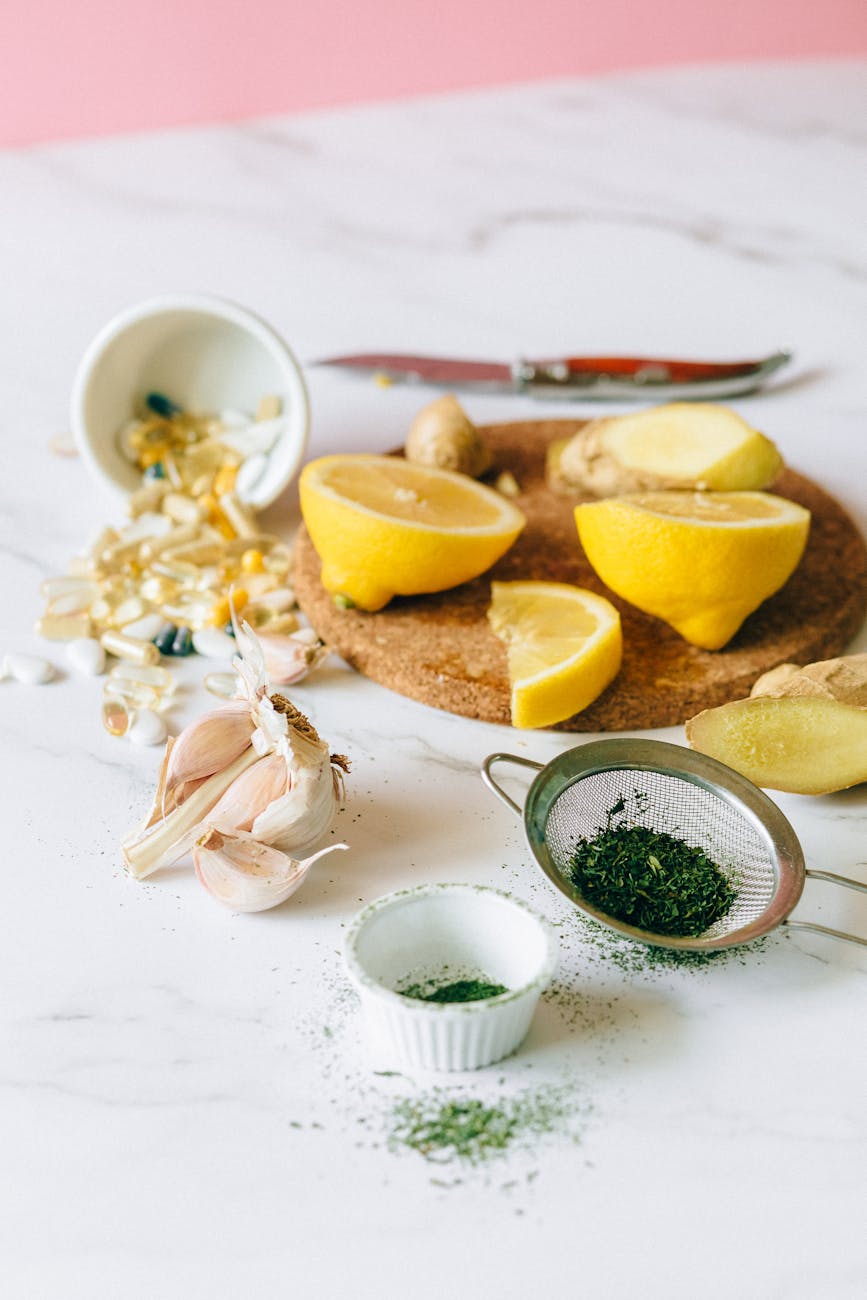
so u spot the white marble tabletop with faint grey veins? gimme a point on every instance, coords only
(187, 1108)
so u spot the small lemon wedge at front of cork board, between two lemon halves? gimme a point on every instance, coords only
(563, 645)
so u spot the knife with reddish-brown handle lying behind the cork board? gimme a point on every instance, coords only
(597, 378)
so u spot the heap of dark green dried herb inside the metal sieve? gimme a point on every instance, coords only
(651, 879)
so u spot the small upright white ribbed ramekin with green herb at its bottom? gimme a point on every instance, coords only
(445, 933)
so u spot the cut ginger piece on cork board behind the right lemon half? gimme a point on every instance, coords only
(691, 445)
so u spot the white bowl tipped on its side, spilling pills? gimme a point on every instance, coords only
(203, 353)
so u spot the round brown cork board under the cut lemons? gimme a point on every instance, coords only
(439, 649)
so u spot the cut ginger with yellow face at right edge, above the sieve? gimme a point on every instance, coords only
(801, 730)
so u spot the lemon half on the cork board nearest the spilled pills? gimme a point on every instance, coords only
(384, 527)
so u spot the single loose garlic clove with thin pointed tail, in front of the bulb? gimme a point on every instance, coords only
(248, 876)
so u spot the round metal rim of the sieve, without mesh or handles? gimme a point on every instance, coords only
(700, 770)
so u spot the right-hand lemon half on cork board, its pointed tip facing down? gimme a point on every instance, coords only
(701, 562)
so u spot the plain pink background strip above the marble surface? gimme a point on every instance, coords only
(72, 68)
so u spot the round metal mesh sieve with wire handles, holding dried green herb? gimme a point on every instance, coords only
(669, 788)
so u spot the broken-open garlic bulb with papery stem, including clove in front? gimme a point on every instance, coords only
(252, 786)
